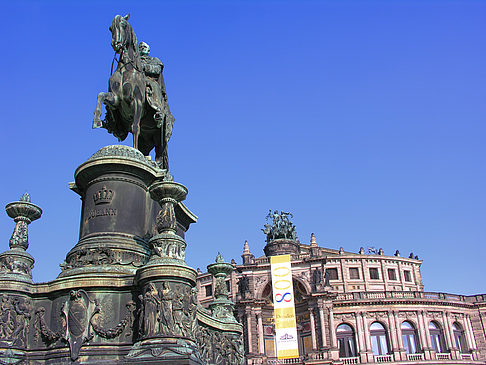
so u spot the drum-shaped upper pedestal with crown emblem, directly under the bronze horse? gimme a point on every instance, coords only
(117, 213)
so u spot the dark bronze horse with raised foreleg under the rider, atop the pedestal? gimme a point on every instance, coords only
(127, 107)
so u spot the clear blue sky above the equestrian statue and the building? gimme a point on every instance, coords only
(365, 119)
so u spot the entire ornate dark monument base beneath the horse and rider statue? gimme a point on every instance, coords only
(125, 294)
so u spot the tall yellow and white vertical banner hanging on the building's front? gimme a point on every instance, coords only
(284, 308)
